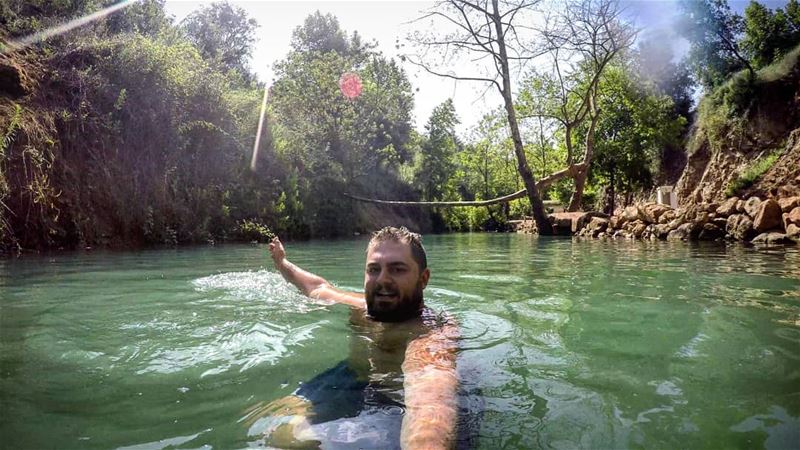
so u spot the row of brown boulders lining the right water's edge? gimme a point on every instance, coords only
(753, 220)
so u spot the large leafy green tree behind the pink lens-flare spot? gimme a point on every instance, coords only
(338, 144)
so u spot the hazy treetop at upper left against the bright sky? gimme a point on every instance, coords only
(223, 34)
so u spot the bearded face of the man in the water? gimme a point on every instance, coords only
(393, 283)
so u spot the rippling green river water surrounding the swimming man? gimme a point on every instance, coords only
(565, 344)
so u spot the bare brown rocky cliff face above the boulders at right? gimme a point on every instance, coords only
(769, 126)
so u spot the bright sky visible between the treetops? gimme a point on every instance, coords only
(387, 21)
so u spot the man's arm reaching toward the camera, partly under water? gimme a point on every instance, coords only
(430, 384)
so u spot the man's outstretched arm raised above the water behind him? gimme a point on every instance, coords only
(310, 285)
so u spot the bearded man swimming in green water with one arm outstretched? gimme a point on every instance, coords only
(396, 340)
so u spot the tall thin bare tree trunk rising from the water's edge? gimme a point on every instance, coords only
(543, 224)
